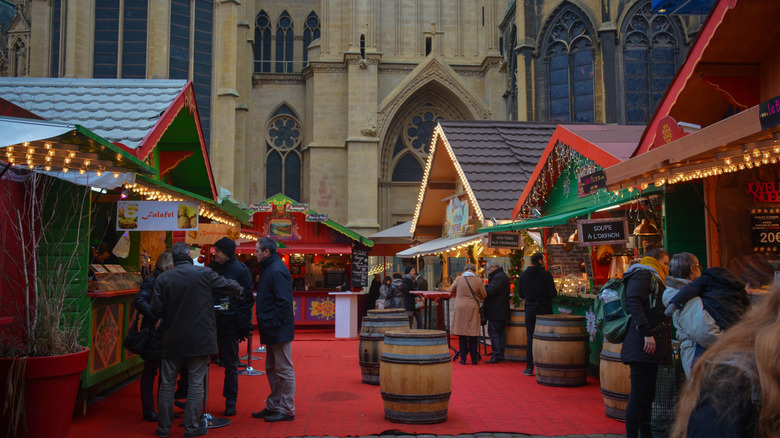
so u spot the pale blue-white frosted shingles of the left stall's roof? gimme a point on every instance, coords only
(120, 110)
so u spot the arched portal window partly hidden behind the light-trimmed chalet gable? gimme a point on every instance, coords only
(413, 146)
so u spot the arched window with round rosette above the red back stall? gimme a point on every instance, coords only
(283, 160)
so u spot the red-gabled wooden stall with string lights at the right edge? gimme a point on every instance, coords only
(721, 181)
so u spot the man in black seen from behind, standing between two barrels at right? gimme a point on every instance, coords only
(537, 288)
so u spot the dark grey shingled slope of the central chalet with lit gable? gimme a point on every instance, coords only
(497, 158)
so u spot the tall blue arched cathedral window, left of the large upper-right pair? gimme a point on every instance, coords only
(568, 55)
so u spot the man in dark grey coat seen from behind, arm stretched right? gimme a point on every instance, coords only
(183, 298)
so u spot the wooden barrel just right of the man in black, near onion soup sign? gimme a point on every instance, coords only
(560, 350)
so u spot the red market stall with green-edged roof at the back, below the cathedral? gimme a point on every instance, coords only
(323, 257)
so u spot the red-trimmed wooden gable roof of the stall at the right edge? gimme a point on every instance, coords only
(722, 69)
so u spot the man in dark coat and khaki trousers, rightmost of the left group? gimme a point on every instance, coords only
(276, 324)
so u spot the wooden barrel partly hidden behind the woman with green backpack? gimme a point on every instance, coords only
(615, 379)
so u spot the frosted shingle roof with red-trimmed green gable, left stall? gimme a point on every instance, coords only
(156, 119)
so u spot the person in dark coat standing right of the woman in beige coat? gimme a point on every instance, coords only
(496, 306)
